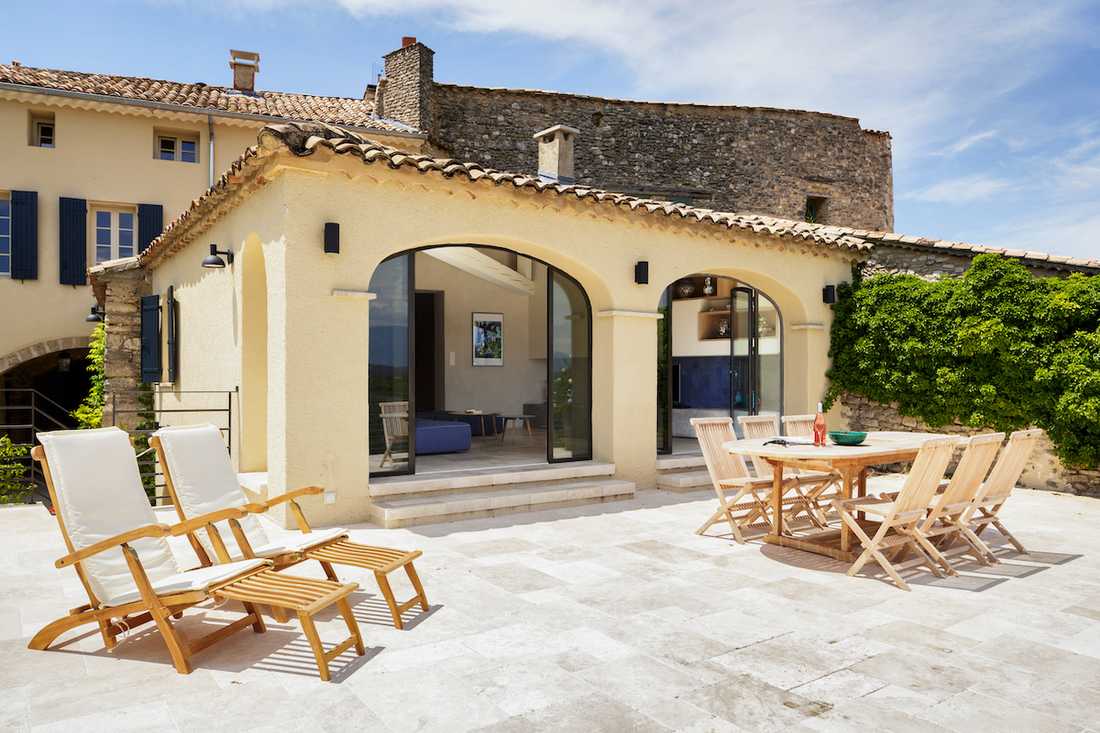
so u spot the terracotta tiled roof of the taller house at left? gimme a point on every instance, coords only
(199, 96)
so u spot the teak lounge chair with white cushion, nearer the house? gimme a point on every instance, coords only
(201, 478)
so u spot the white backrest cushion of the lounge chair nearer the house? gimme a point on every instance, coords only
(205, 482)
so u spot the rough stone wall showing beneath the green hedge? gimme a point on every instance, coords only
(1044, 469)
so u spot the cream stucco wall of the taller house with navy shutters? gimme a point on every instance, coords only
(104, 154)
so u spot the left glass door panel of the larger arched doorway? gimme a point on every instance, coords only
(391, 393)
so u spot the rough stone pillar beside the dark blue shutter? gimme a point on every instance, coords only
(119, 289)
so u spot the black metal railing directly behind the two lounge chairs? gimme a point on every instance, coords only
(155, 410)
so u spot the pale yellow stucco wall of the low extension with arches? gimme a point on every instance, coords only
(317, 342)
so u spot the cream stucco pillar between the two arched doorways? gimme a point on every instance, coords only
(626, 397)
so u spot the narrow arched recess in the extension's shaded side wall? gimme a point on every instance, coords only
(254, 445)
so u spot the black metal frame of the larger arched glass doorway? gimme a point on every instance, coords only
(411, 325)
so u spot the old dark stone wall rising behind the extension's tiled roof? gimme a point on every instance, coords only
(732, 159)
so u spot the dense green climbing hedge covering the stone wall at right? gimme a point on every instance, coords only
(997, 347)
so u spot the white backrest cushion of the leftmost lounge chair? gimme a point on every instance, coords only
(100, 496)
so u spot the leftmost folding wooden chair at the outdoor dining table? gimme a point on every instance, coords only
(743, 500)
